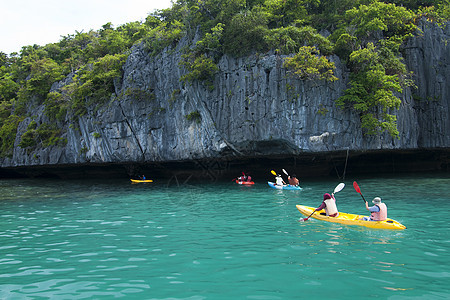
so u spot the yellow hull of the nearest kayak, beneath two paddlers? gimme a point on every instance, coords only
(350, 219)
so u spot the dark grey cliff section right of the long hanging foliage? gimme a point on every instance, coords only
(428, 57)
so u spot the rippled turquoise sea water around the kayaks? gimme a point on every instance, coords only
(103, 240)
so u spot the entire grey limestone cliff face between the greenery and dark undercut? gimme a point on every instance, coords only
(255, 110)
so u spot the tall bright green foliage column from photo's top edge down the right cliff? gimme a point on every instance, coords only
(378, 72)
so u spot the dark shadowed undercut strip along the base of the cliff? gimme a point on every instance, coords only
(337, 164)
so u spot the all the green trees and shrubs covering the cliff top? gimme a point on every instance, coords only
(366, 34)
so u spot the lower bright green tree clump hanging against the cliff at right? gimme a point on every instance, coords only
(372, 91)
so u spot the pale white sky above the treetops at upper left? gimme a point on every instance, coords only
(29, 22)
